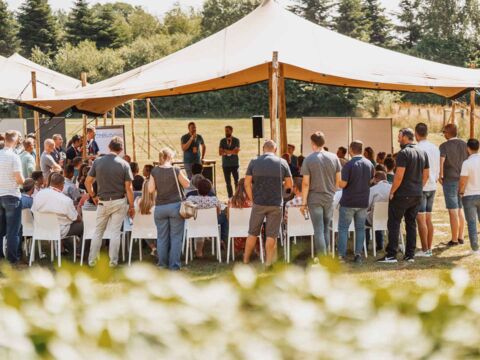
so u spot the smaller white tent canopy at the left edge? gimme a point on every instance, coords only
(15, 79)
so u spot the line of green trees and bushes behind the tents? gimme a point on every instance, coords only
(107, 39)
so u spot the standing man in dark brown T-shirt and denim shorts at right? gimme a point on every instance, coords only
(453, 153)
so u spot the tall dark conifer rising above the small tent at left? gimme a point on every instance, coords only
(37, 27)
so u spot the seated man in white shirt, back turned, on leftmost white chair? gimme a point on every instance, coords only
(52, 200)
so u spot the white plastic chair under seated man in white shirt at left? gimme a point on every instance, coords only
(46, 227)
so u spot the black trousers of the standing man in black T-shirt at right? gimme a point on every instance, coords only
(402, 207)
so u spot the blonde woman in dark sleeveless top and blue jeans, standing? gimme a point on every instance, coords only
(167, 181)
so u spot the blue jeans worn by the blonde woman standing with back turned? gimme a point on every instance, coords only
(169, 235)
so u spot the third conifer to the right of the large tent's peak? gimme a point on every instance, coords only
(379, 25)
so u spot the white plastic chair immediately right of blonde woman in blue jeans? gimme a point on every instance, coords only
(204, 226)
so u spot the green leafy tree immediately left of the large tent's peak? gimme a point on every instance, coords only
(218, 14)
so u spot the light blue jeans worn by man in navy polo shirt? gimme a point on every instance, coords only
(359, 215)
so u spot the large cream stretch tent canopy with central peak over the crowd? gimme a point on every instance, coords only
(241, 53)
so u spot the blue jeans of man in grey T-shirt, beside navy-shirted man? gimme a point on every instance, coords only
(321, 216)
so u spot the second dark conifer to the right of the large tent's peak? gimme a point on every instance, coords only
(350, 20)
